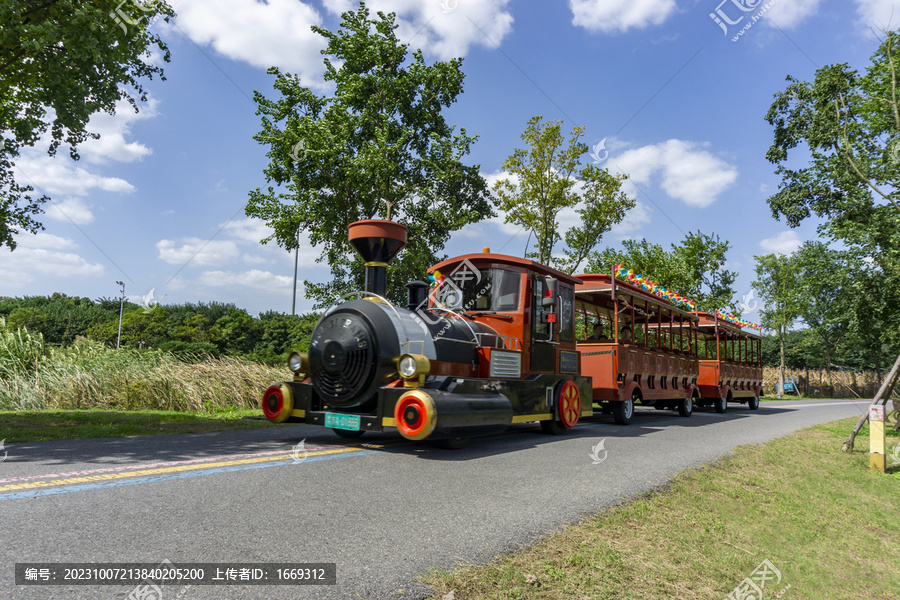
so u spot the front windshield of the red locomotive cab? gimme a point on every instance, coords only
(468, 289)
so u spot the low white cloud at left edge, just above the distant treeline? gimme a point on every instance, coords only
(40, 254)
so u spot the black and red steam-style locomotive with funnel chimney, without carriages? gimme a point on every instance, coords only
(490, 344)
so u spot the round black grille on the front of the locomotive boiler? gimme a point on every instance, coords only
(342, 359)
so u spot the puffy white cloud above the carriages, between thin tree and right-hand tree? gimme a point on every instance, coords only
(687, 172)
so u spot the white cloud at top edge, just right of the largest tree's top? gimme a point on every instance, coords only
(443, 32)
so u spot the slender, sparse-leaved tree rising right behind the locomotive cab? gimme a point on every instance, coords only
(547, 179)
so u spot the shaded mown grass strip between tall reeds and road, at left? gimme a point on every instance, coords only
(43, 425)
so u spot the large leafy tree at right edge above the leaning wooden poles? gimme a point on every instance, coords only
(850, 125)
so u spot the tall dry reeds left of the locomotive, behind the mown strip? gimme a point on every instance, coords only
(90, 375)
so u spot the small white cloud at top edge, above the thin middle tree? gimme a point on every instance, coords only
(619, 15)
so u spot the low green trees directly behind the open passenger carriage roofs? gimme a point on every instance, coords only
(695, 267)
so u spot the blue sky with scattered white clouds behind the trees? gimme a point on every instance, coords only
(671, 92)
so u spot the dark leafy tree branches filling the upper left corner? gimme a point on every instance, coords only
(61, 61)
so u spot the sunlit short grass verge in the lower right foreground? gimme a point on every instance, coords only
(829, 525)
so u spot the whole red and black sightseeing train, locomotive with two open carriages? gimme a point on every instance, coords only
(493, 340)
